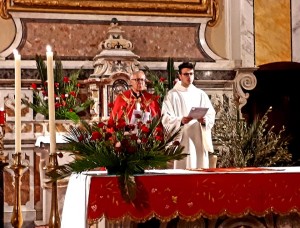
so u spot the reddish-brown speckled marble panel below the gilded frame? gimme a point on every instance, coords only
(80, 40)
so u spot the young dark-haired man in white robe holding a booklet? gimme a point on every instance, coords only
(196, 133)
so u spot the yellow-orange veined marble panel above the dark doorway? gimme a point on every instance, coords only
(272, 31)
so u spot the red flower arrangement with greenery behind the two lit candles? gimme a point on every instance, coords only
(68, 105)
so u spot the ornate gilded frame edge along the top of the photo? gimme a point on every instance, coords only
(177, 8)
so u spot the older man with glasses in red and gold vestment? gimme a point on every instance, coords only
(136, 98)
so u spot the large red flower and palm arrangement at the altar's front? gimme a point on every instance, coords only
(121, 148)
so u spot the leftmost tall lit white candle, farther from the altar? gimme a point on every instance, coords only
(18, 129)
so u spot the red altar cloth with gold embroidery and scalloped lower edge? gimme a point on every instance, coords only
(191, 196)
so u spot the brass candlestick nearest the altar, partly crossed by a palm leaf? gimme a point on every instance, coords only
(54, 219)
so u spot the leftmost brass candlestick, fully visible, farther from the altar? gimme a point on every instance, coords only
(18, 167)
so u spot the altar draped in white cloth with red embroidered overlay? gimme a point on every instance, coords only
(188, 194)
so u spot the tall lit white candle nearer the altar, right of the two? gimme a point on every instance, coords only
(51, 105)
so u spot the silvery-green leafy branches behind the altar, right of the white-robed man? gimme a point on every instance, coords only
(248, 145)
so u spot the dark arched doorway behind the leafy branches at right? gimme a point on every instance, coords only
(277, 87)
